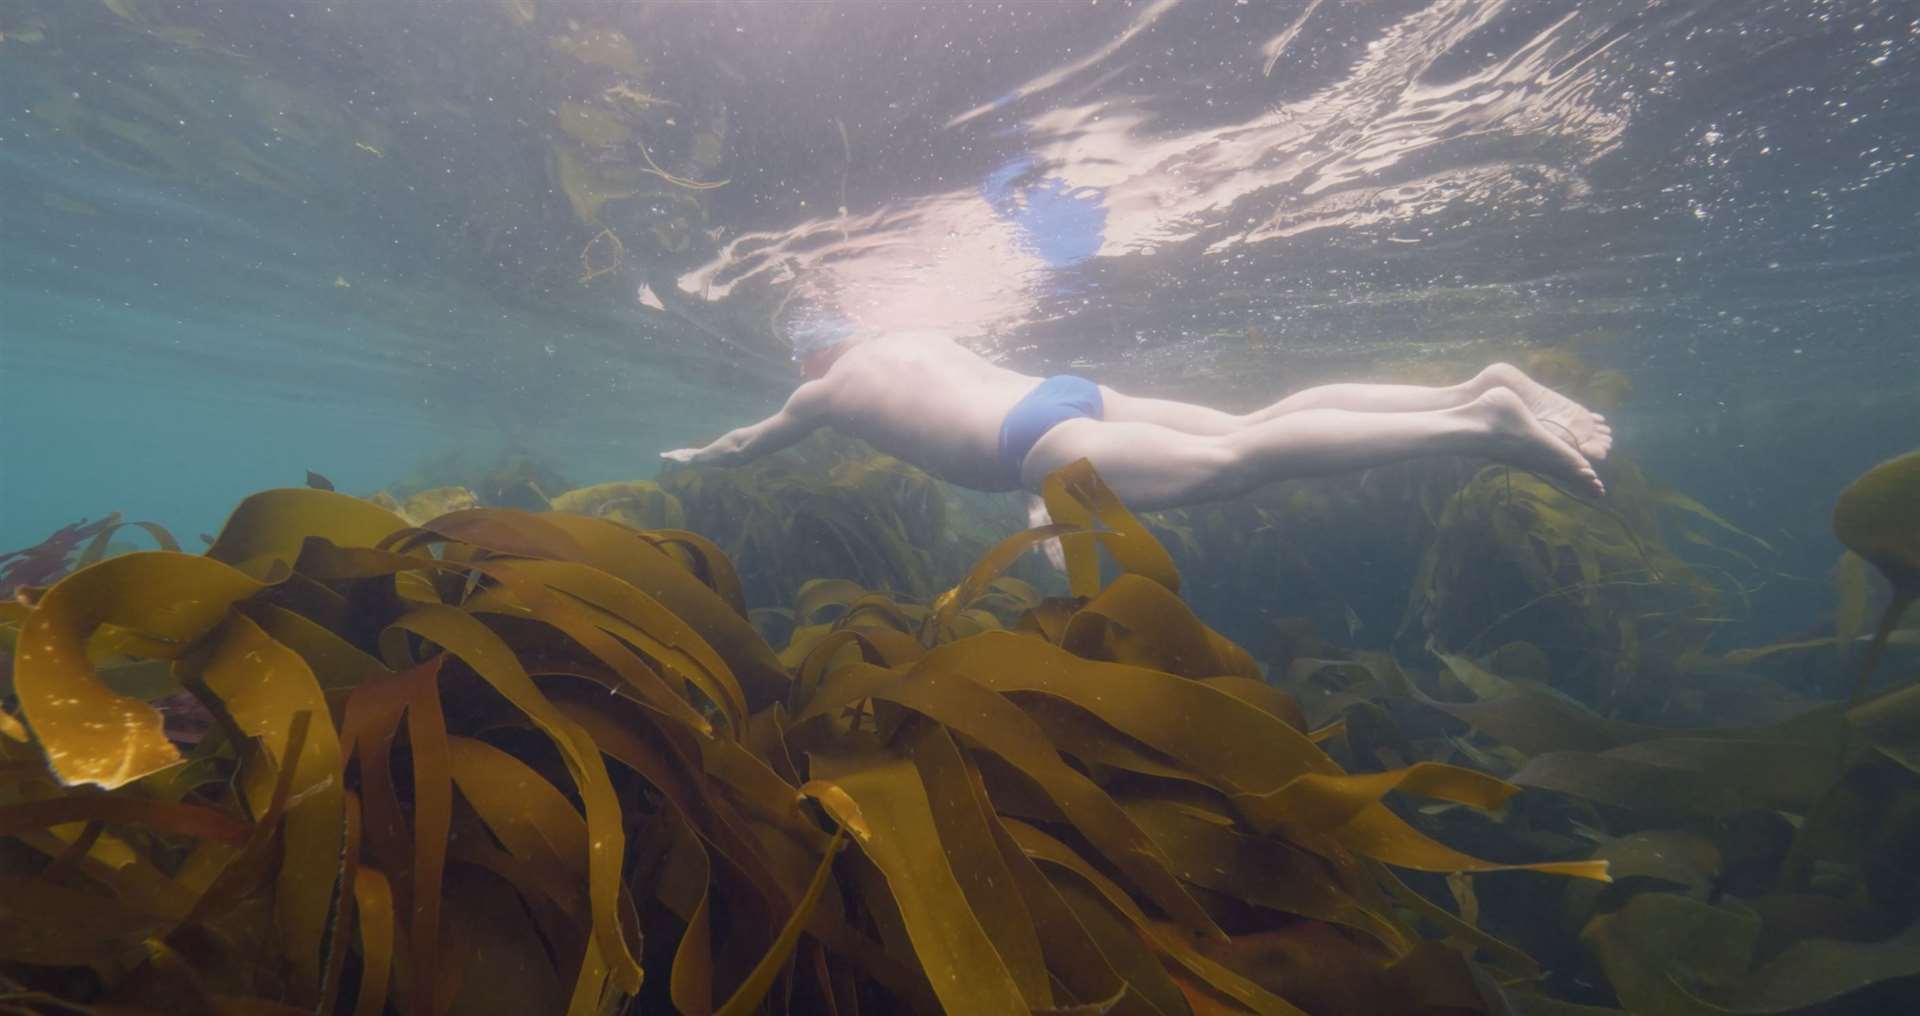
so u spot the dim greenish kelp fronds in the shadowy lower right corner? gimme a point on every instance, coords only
(1754, 869)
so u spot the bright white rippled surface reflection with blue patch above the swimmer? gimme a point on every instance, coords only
(1447, 114)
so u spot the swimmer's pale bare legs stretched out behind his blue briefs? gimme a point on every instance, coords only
(1155, 468)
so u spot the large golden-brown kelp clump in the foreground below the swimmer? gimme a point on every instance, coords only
(508, 762)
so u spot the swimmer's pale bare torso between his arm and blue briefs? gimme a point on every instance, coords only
(926, 400)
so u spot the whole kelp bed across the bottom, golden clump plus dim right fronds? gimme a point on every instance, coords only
(508, 762)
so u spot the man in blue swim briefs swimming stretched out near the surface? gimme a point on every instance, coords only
(949, 412)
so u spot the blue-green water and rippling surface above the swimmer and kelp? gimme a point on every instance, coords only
(241, 241)
